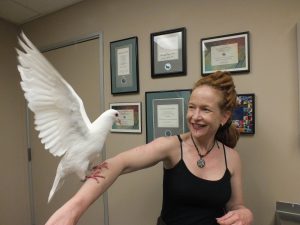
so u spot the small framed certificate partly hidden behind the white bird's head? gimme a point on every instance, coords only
(130, 117)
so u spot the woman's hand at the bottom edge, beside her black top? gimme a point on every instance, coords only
(242, 216)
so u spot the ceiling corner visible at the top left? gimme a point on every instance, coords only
(21, 11)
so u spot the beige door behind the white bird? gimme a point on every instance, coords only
(79, 64)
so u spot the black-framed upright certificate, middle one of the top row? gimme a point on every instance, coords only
(168, 53)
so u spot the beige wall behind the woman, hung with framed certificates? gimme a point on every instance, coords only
(271, 158)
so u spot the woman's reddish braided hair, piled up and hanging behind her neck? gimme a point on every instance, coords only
(222, 81)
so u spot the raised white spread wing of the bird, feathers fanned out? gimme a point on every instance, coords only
(59, 114)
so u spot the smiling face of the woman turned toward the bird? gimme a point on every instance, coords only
(204, 115)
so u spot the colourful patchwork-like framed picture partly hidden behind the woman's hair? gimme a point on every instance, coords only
(244, 115)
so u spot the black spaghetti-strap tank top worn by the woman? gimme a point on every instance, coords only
(190, 200)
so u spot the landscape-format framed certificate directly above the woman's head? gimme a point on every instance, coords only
(226, 53)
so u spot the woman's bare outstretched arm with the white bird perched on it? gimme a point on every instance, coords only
(128, 161)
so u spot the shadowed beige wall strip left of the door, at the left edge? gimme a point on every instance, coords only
(14, 201)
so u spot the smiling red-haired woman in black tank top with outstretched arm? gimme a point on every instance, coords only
(202, 173)
